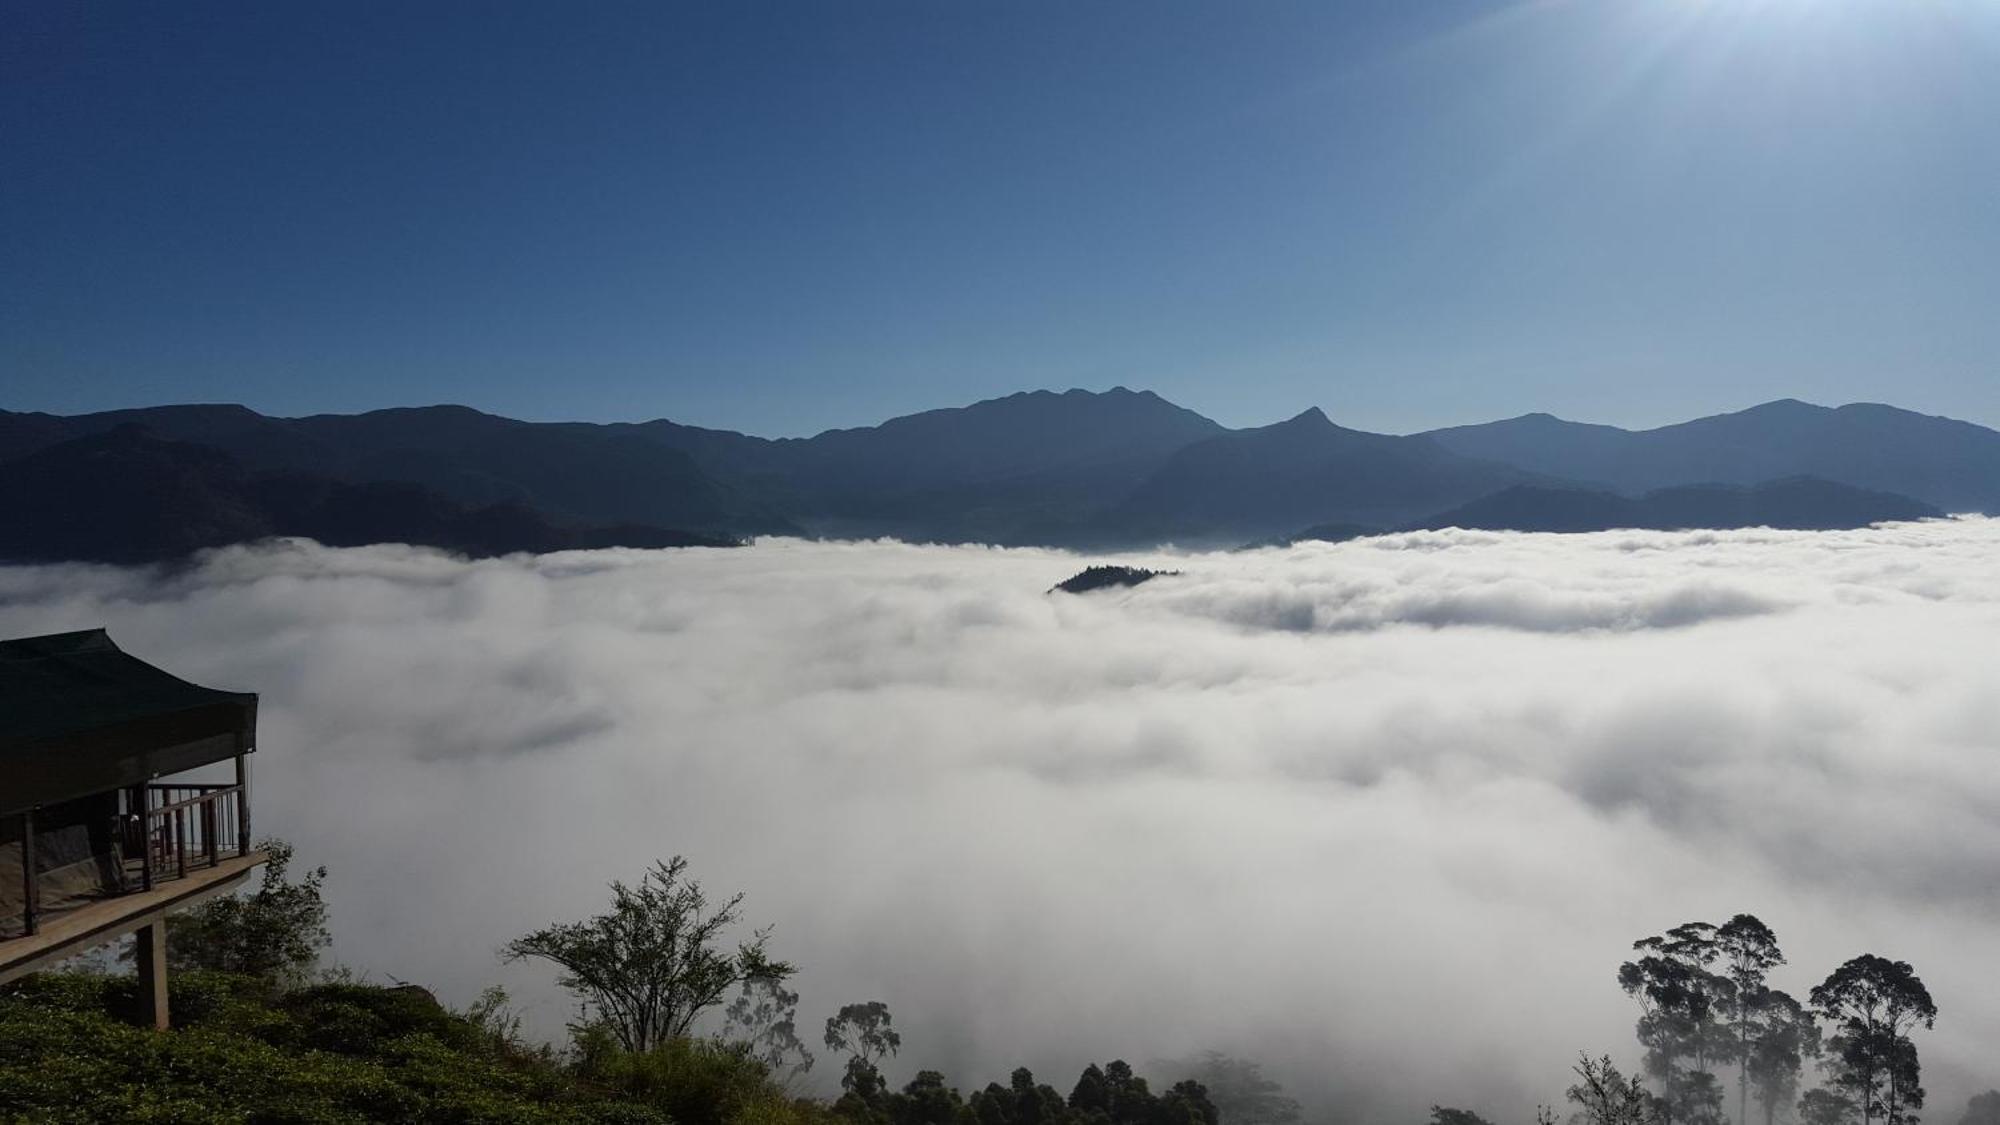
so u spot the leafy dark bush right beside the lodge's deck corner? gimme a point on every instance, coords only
(273, 934)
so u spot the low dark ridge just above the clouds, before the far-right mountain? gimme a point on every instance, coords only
(1803, 503)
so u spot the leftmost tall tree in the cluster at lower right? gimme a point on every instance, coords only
(1681, 1002)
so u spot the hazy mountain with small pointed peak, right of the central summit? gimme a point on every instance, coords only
(1297, 473)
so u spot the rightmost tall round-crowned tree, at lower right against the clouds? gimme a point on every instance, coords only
(1873, 1004)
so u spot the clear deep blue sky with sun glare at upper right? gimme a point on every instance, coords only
(791, 217)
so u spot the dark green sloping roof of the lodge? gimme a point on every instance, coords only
(79, 716)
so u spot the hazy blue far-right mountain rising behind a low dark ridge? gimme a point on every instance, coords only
(1941, 461)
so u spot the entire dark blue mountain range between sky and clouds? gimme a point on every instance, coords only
(1069, 469)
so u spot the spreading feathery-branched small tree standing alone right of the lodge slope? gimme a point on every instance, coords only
(653, 964)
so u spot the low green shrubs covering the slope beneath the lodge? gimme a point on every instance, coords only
(241, 1052)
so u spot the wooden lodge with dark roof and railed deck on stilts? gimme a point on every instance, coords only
(125, 794)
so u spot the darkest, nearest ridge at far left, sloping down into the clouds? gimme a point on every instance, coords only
(131, 497)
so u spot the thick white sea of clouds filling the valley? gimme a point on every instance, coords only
(1385, 816)
